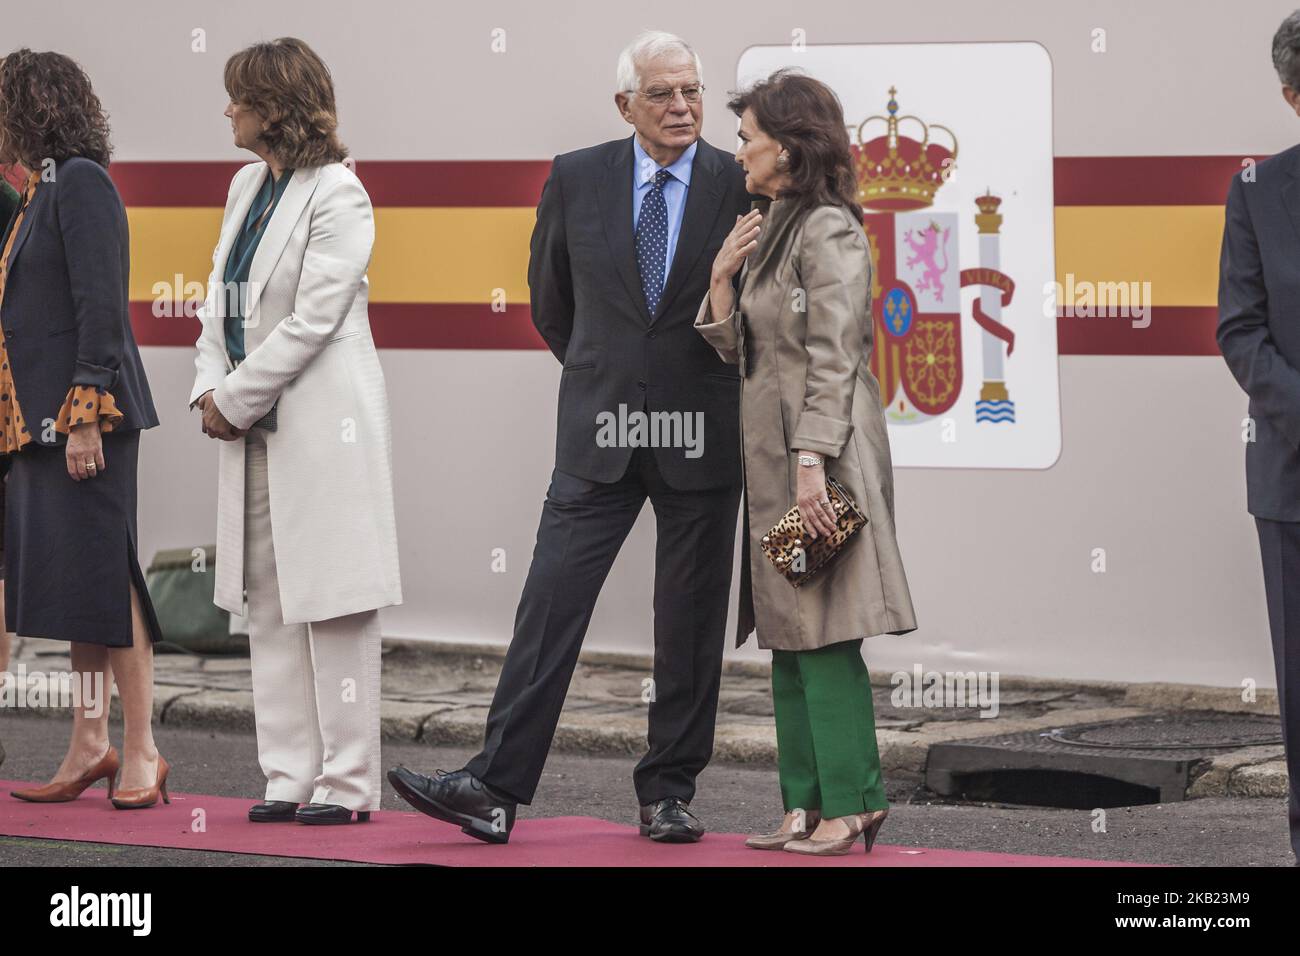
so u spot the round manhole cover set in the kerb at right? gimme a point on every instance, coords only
(1206, 732)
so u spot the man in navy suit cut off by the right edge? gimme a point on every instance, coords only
(1259, 334)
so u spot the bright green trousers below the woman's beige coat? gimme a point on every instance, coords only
(826, 732)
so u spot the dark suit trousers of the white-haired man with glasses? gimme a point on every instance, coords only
(584, 525)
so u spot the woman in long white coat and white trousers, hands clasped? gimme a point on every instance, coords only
(289, 380)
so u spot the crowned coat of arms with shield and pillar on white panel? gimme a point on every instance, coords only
(917, 278)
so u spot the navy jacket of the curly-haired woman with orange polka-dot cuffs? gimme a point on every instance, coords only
(66, 310)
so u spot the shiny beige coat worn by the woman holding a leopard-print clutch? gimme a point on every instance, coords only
(801, 335)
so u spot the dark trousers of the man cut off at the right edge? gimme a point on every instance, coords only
(1280, 548)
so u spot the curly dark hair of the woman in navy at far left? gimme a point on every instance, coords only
(49, 111)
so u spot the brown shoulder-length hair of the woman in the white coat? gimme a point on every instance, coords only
(291, 86)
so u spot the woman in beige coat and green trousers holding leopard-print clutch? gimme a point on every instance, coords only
(811, 408)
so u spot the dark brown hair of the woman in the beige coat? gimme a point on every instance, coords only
(805, 116)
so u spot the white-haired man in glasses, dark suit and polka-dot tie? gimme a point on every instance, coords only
(622, 253)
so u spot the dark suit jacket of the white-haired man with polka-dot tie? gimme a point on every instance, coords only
(590, 306)
